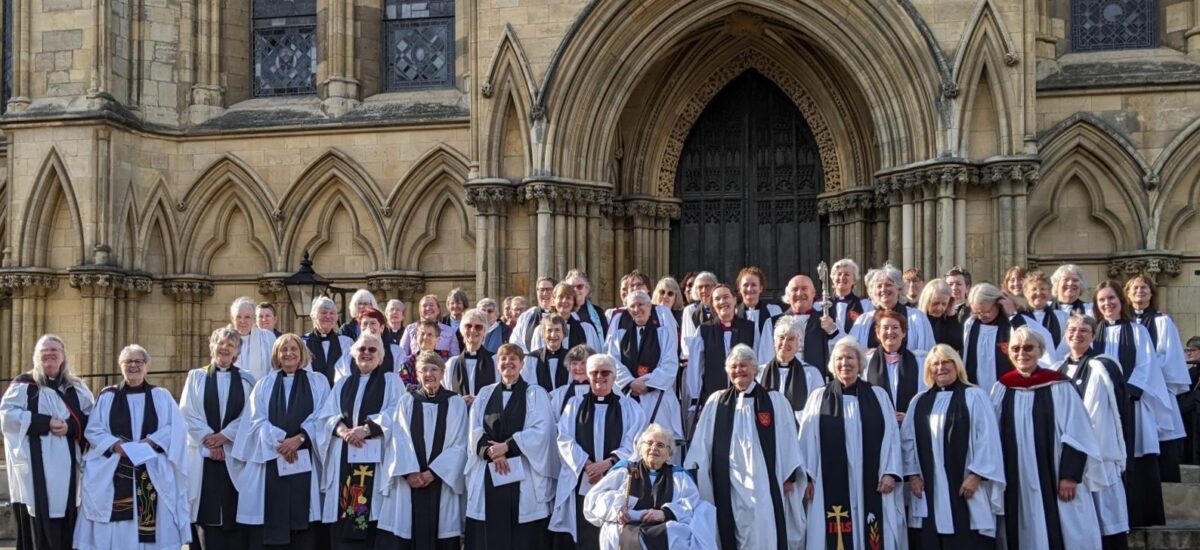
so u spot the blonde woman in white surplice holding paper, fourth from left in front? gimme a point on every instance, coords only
(281, 432)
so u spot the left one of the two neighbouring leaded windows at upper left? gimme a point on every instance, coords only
(285, 34)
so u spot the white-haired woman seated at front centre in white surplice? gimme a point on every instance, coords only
(650, 503)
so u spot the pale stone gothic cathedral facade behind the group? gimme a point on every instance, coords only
(161, 158)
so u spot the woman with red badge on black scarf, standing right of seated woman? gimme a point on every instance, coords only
(746, 437)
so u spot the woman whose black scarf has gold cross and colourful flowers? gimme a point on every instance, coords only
(359, 412)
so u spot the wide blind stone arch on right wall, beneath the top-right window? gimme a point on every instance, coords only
(1083, 153)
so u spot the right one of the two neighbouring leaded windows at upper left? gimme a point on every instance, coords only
(419, 40)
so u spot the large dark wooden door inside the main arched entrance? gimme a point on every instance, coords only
(749, 178)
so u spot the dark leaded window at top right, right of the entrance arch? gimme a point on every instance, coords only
(1113, 25)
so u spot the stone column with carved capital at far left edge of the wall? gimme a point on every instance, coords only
(28, 290)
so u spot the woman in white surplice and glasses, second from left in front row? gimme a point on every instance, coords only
(130, 505)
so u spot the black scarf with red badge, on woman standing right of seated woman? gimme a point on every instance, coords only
(723, 440)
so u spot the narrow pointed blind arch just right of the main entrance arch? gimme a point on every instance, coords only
(982, 71)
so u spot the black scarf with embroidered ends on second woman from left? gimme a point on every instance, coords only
(127, 475)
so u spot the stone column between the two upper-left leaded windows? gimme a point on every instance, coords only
(341, 86)
